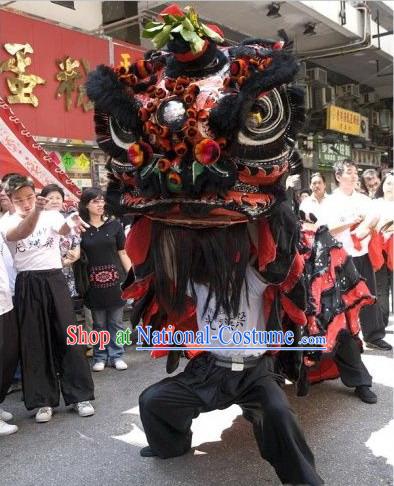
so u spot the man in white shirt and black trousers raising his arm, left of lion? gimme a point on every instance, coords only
(43, 305)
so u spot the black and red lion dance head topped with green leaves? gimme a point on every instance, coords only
(198, 133)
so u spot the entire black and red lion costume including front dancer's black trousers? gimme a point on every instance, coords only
(199, 136)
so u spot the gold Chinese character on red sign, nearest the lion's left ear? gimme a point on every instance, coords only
(68, 78)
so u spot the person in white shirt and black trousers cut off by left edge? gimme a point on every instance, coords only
(8, 343)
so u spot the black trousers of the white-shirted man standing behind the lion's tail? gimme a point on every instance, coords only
(370, 316)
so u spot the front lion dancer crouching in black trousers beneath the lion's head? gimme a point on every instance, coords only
(218, 379)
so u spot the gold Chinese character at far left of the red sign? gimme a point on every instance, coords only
(21, 85)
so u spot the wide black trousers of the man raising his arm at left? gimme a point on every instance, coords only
(44, 310)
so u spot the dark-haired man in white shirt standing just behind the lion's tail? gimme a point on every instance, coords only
(349, 217)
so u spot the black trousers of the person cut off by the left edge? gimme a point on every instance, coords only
(9, 347)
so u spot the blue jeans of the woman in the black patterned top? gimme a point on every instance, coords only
(108, 320)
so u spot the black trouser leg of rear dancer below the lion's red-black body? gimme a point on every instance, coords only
(348, 359)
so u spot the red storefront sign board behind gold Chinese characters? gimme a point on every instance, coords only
(52, 44)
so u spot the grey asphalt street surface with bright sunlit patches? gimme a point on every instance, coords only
(352, 441)
